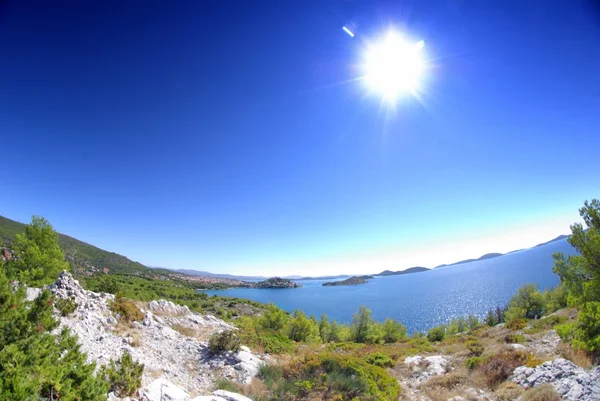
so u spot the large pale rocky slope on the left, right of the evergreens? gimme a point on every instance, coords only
(171, 342)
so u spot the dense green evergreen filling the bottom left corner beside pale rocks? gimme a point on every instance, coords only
(34, 364)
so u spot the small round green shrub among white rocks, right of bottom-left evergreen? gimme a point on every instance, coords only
(124, 376)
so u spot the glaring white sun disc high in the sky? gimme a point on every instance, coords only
(394, 66)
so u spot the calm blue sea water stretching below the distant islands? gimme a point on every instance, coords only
(421, 300)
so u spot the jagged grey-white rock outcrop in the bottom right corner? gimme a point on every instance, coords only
(570, 381)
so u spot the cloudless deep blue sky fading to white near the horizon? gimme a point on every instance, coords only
(219, 136)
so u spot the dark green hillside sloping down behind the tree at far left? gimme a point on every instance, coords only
(79, 253)
